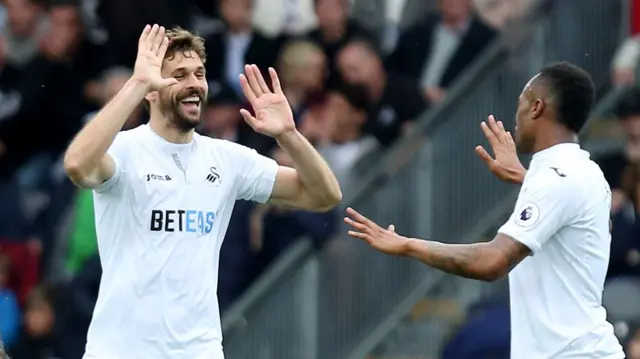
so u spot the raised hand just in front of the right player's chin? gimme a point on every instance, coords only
(506, 165)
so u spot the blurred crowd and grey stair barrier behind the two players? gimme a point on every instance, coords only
(390, 91)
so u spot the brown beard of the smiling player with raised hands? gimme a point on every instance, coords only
(180, 117)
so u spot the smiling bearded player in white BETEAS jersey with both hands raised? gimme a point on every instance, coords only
(164, 196)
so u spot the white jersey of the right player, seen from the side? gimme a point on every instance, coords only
(562, 216)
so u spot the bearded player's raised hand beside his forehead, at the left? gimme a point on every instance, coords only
(152, 47)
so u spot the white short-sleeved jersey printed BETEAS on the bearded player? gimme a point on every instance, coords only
(160, 222)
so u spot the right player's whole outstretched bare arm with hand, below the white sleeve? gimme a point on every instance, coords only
(487, 261)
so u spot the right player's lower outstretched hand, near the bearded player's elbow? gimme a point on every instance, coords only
(384, 240)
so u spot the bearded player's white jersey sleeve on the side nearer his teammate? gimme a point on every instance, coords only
(256, 174)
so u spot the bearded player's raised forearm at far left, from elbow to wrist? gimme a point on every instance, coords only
(92, 142)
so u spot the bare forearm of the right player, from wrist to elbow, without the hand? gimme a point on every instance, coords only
(466, 260)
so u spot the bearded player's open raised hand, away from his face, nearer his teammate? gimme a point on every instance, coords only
(273, 113)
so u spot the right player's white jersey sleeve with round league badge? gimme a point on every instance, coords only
(544, 205)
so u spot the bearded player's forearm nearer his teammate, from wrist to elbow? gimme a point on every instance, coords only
(317, 178)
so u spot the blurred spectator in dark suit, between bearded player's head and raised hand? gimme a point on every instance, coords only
(237, 44)
